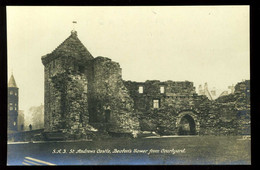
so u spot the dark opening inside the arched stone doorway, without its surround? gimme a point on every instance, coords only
(187, 126)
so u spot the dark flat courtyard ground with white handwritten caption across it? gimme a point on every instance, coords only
(172, 150)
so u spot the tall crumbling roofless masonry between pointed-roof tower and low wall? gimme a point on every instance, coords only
(110, 95)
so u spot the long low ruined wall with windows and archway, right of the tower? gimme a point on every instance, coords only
(219, 117)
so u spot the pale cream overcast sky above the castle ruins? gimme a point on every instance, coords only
(199, 44)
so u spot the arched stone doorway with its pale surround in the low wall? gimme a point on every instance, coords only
(187, 123)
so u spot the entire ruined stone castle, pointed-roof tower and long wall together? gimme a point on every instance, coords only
(83, 93)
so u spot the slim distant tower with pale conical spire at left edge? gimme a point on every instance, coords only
(13, 108)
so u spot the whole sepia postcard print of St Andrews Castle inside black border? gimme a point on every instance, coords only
(175, 90)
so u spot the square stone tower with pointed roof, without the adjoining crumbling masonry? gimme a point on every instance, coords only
(65, 85)
